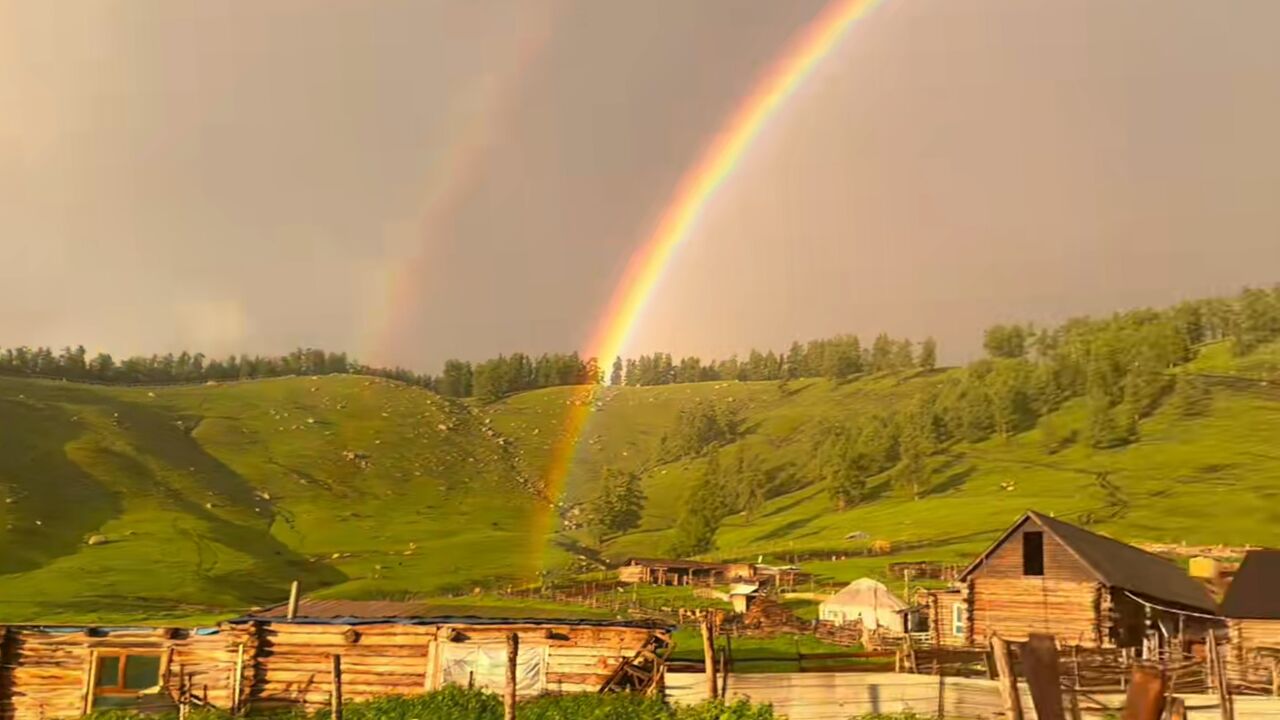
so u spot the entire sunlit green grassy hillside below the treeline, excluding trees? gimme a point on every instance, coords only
(213, 498)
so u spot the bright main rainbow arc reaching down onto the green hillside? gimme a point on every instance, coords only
(696, 190)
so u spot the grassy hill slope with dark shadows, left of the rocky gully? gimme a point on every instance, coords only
(214, 498)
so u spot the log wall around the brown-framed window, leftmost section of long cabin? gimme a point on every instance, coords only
(48, 672)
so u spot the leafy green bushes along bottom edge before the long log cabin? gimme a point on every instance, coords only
(460, 704)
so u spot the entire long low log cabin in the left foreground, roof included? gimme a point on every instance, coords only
(266, 659)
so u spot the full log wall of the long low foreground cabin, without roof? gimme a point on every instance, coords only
(45, 673)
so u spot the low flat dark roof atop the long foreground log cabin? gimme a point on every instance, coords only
(365, 612)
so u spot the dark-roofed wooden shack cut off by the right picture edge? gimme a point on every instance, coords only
(1252, 612)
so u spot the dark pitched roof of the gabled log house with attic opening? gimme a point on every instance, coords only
(1118, 566)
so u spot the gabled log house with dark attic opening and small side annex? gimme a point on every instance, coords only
(1045, 576)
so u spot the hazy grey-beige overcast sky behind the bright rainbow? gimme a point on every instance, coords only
(415, 181)
